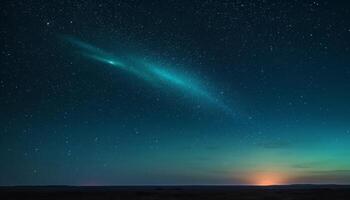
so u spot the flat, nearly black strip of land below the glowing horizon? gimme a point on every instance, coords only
(330, 192)
